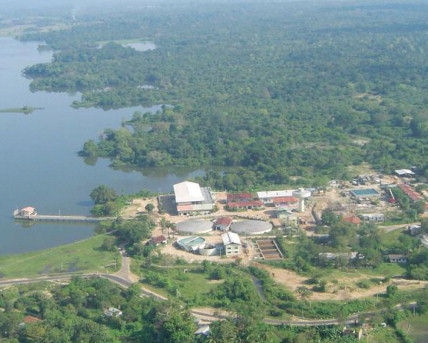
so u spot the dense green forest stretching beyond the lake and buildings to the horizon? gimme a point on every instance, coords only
(279, 93)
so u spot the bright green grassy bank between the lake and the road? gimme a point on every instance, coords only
(82, 256)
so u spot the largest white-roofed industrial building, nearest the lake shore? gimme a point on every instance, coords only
(191, 199)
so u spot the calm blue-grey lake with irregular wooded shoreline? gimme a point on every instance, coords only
(39, 162)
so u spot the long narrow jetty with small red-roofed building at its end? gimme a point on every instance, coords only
(29, 213)
